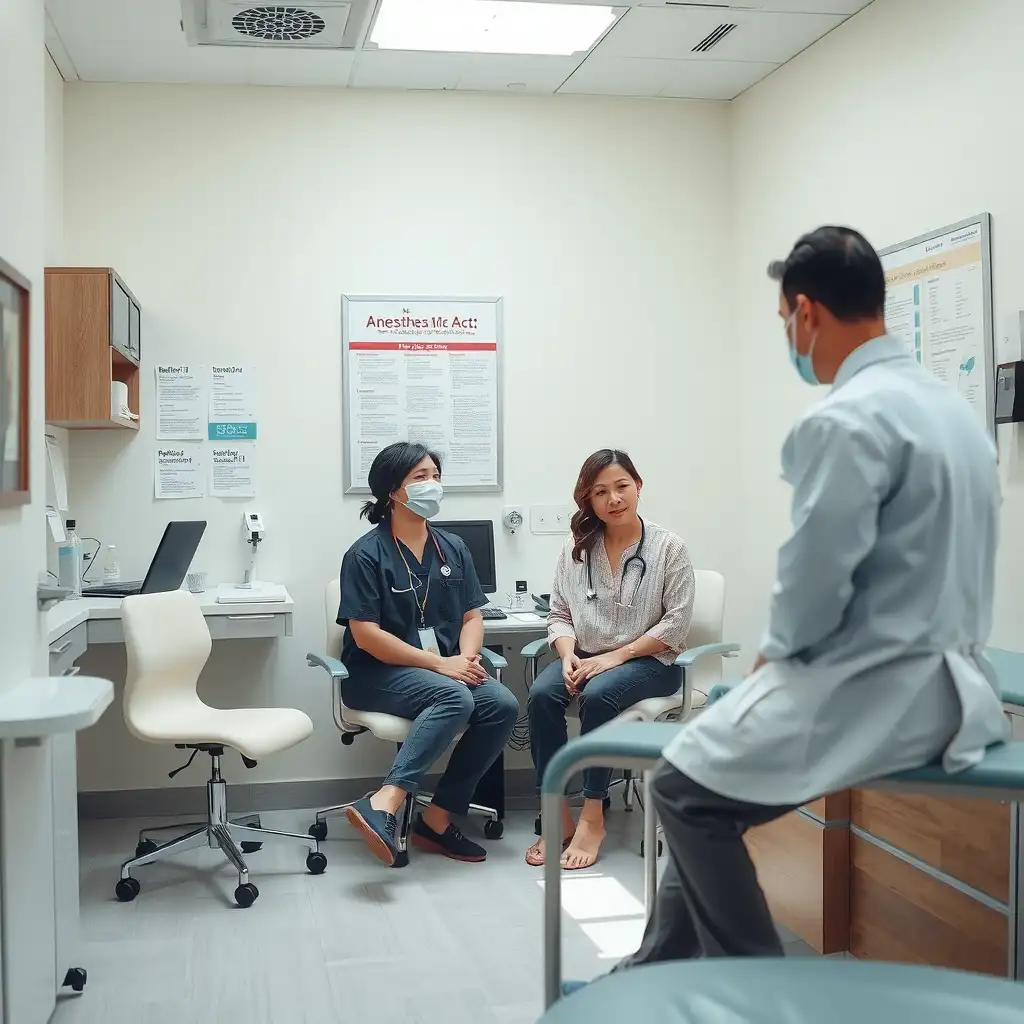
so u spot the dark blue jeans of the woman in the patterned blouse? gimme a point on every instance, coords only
(603, 699)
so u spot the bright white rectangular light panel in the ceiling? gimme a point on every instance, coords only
(490, 27)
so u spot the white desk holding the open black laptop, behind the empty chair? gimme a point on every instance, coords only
(74, 625)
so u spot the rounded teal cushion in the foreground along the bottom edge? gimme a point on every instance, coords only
(801, 991)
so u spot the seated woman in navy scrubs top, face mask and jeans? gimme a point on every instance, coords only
(410, 605)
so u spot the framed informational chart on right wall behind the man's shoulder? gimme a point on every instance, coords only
(940, 303)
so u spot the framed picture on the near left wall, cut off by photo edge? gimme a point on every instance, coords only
(15, 293)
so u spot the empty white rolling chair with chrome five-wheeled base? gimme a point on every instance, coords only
(168, 645)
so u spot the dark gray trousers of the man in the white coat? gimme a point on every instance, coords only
(709, 901)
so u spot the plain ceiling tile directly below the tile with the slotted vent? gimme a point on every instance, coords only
(678, 79)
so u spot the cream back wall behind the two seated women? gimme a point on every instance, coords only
(240, 217)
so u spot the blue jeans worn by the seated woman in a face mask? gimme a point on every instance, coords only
(439, 708)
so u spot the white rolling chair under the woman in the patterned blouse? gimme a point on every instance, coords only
(702, 665)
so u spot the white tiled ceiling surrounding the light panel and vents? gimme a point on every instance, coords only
(649, 52)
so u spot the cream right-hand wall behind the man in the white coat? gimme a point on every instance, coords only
(903, 120)
